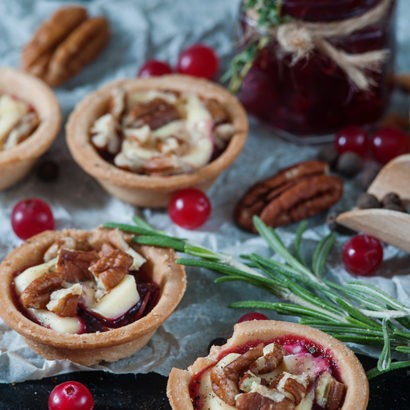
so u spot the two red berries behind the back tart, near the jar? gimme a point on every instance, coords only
(198, 60)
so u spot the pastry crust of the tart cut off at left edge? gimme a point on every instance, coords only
(16, 162)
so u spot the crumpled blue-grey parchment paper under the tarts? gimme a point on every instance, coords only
(142, 30)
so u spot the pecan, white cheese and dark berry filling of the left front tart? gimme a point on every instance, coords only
(86, 287)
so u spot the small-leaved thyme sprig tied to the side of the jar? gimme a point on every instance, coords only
(268, 14)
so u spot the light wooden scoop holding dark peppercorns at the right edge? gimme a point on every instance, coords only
(392, 227)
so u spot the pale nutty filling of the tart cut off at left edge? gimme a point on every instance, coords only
(18, 121)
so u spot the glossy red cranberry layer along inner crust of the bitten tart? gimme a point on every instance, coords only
(292, 344)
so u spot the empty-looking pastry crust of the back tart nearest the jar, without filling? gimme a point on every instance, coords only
(146, 190)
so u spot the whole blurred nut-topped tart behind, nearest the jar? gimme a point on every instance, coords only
(142, 139)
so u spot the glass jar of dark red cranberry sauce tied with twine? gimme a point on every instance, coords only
(314, 96)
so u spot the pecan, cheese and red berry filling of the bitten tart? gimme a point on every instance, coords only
(285, 373)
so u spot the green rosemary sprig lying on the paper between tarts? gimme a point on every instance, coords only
(356, 312)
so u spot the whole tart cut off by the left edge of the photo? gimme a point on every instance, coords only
(30, 119)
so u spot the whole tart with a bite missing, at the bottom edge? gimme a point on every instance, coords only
(272, 365)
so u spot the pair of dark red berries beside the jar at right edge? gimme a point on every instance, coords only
(384, 144)
